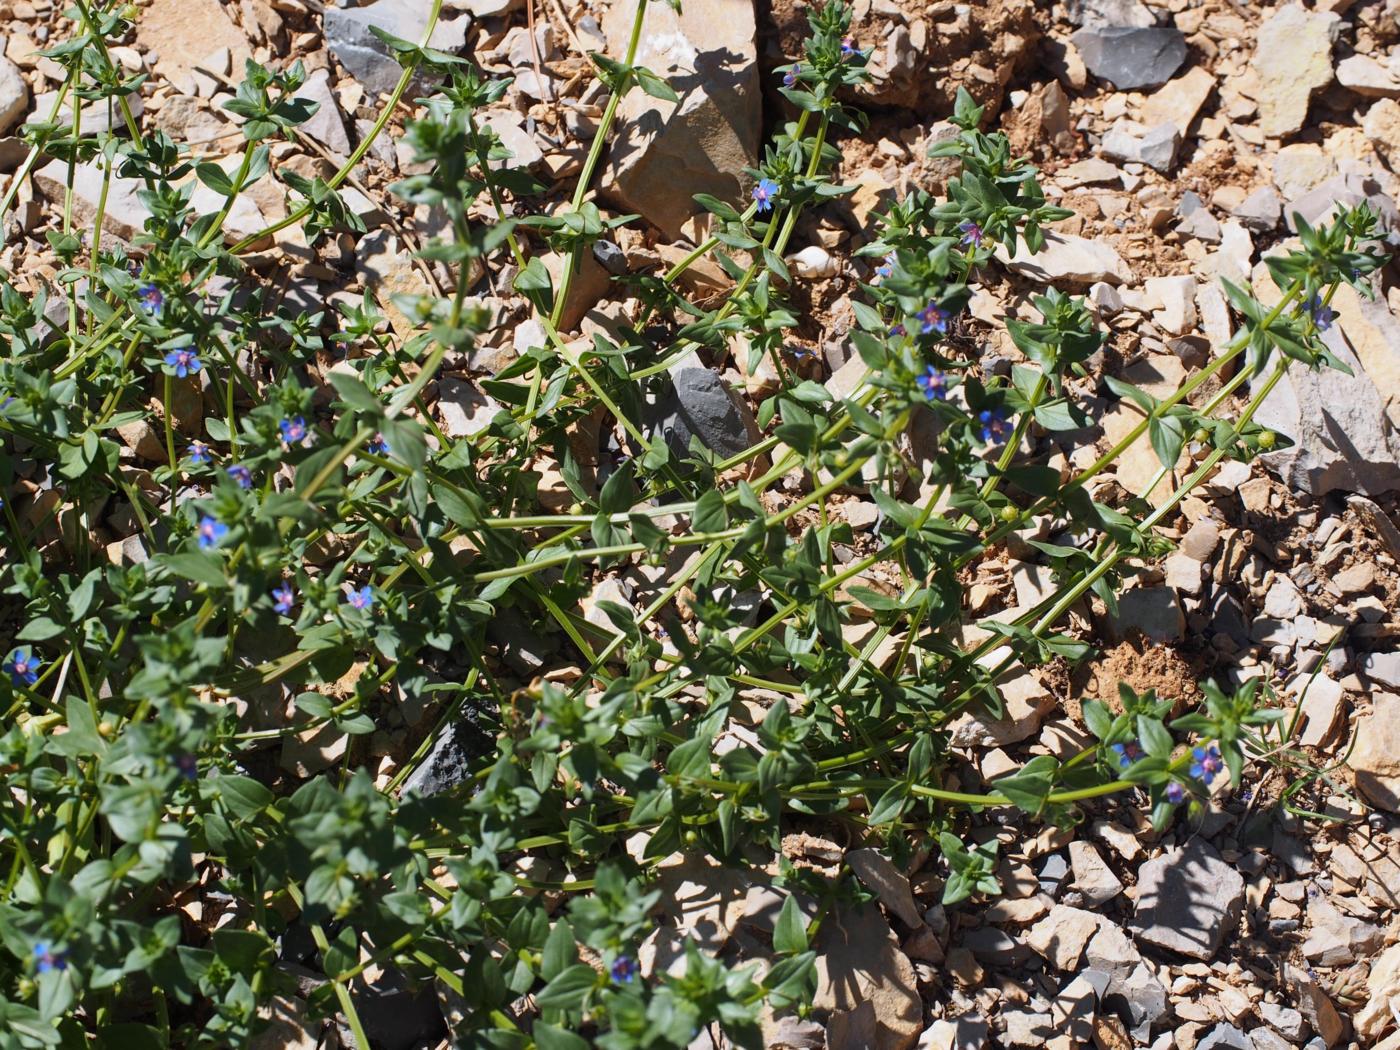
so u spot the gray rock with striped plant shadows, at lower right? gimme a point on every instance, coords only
(1188, 901)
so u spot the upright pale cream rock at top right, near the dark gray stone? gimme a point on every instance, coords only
(1293, 58)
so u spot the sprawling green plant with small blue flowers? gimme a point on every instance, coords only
(321, 552)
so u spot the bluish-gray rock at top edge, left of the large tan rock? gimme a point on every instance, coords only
(369, 59)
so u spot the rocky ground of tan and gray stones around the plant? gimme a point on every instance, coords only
(1185, 135)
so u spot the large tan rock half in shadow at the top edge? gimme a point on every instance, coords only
(666, 153)
